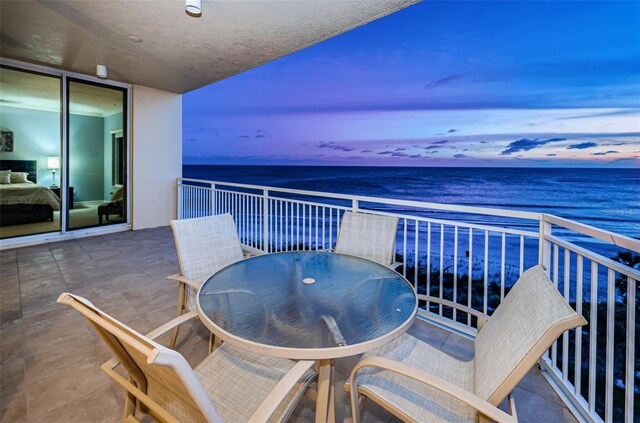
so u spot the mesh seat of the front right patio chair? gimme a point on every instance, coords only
(416, 400)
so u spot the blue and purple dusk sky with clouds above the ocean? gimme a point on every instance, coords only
(439, 84)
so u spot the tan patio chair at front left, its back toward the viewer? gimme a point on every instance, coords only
(230, 385)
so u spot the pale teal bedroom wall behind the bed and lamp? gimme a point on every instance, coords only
(36, 136)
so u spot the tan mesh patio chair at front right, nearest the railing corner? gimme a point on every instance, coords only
(417, 382)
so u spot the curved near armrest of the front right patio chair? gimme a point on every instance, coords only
(428, 379)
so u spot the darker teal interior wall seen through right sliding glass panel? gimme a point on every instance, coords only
(86, 157)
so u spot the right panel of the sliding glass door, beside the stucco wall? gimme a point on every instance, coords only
(97, 188)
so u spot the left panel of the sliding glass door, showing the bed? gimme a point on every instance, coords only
(30, 153)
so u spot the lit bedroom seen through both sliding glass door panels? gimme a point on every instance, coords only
(32, 168)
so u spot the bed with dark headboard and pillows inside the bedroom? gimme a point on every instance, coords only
(22, 203)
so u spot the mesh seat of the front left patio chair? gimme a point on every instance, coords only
(237, 381)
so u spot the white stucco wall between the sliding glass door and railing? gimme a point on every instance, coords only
(156, 155)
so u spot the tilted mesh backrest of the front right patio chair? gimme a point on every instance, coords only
(525, 325)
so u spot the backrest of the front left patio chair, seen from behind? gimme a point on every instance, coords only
(162, 374)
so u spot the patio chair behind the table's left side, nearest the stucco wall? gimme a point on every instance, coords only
(204, 246)
